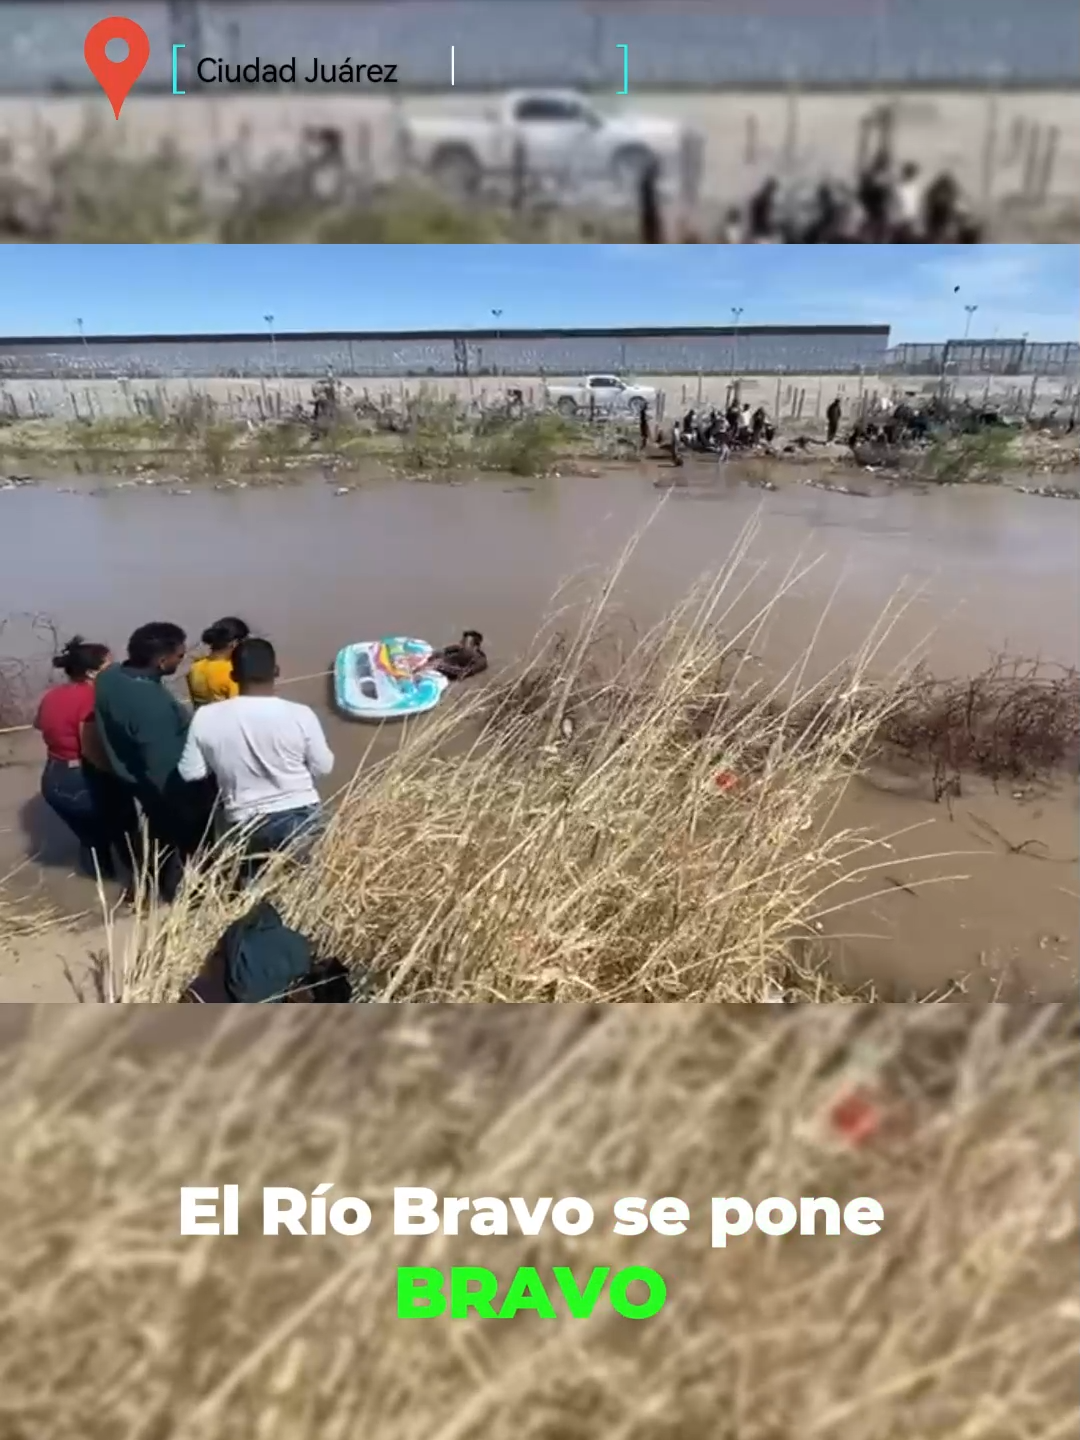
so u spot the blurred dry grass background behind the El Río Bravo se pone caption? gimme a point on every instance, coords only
(957, 1323)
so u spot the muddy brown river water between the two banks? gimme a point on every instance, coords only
(989, 570)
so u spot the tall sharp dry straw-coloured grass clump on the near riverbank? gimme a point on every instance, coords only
(631, 819)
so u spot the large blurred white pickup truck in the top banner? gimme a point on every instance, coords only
(551, 133)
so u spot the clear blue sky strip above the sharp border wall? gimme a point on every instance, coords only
(161, 289)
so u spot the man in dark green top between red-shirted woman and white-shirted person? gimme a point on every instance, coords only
(143, 729)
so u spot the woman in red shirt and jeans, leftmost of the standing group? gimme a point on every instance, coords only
(63, 718)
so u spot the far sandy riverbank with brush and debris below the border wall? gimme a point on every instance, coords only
(267, 433)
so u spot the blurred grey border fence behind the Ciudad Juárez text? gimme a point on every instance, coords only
(673, 44)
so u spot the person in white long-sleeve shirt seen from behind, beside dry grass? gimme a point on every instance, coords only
(264, 752)
